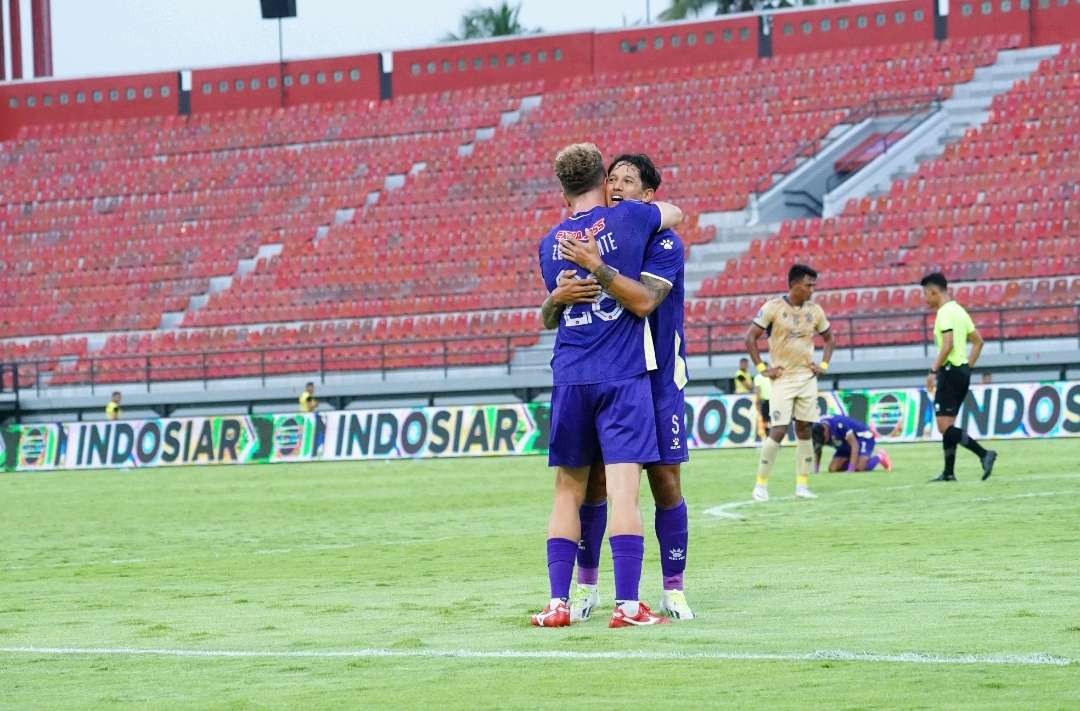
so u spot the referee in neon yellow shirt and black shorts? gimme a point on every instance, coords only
(951, 373)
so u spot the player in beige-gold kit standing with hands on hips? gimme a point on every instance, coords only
(791, 323)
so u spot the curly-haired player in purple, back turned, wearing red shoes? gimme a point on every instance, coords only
(602, 403)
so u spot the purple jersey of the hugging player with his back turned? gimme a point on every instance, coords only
(603, 342)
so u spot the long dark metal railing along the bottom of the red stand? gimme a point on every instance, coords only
(896, 329)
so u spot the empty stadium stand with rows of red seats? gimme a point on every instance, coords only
(352, 235)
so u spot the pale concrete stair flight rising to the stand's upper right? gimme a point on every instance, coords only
(968, 109)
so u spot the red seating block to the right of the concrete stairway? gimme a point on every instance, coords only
(996, 211)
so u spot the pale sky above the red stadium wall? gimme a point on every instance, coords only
(116, 37)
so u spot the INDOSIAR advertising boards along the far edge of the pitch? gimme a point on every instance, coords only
(1034, 410)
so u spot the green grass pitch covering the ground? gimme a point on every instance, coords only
(288, 565)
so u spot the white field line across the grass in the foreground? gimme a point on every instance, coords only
(1038, 660)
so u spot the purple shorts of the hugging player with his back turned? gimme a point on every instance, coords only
(613, 422)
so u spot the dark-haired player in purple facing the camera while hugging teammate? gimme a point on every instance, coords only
(636, 178)
